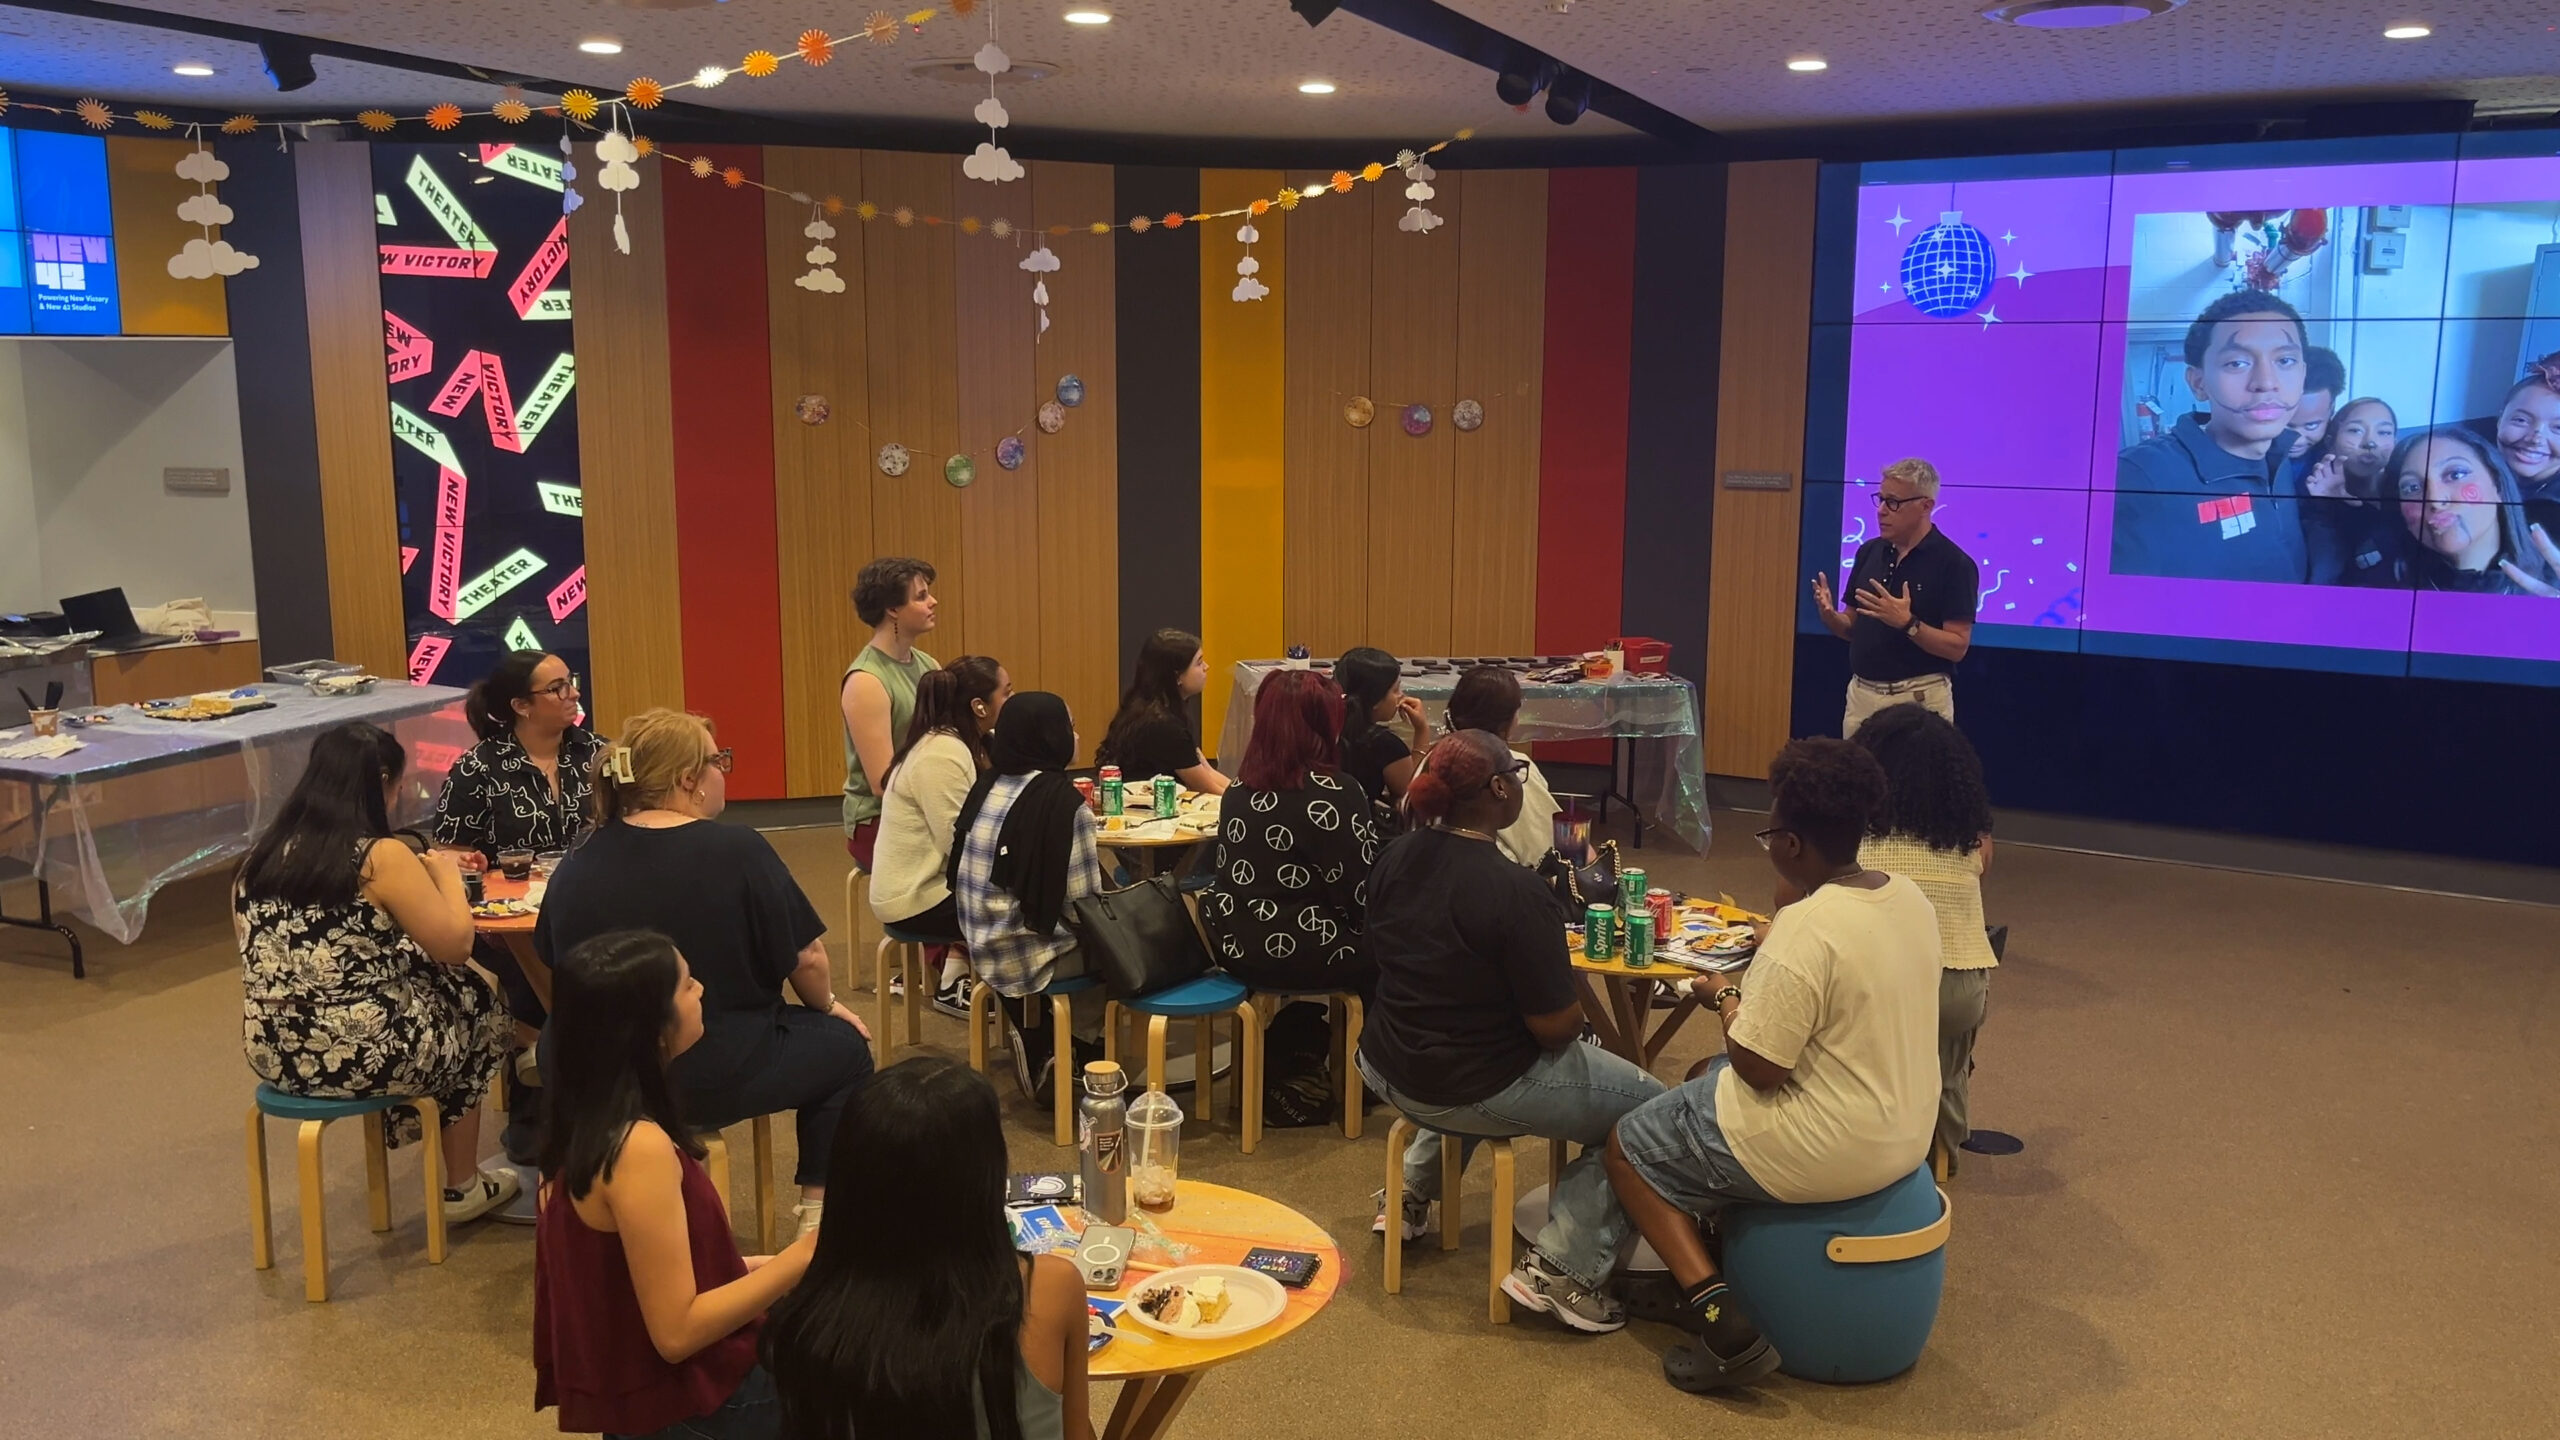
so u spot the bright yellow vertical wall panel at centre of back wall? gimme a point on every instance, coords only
(1243, 516)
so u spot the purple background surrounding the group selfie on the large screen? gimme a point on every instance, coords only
(2019, 404)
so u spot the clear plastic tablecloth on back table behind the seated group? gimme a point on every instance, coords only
(1658, 714)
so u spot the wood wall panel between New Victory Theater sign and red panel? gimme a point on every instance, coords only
(626, 450)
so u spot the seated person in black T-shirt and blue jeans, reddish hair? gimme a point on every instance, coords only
(1476, 1024)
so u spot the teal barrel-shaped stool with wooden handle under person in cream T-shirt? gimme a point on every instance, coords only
(1850, 1290)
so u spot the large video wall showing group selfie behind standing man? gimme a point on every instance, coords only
(2290, 404)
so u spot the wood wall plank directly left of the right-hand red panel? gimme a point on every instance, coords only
(1501, 352)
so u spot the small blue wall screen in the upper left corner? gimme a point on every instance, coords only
(58, 237)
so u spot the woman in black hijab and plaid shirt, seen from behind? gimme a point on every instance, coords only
(1023, 849)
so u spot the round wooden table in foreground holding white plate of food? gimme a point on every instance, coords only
(1207, 1226)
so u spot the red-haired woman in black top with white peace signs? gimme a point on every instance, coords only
(1292, 883)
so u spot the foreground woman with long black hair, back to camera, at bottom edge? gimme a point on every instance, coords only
(918, 1318)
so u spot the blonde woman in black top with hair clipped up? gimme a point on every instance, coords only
(659, 862)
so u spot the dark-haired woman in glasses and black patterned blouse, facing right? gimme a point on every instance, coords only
(524, 788)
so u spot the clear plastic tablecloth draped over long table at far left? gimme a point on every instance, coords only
(147, 803)
